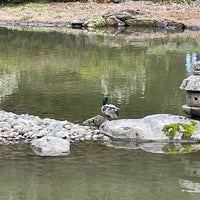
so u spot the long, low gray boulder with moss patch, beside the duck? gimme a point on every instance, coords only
(160, 127)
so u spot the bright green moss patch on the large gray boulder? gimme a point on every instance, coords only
(171, 130)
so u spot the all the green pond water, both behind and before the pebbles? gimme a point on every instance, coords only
(64, 75)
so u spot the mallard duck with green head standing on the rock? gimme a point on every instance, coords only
(110, 110)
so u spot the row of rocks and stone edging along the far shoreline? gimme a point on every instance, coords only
(113, 20)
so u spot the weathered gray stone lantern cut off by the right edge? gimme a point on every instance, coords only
(192, 87)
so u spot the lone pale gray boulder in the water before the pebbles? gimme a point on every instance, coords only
(51, 146)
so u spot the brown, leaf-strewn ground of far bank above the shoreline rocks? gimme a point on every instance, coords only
(68, 12)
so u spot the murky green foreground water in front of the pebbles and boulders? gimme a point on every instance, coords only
(93, 171)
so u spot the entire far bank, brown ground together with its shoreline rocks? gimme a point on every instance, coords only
(173, 16)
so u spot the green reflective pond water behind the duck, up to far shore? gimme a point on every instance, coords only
(65, 76)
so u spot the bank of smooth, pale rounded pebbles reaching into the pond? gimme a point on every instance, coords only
(26, 127)
